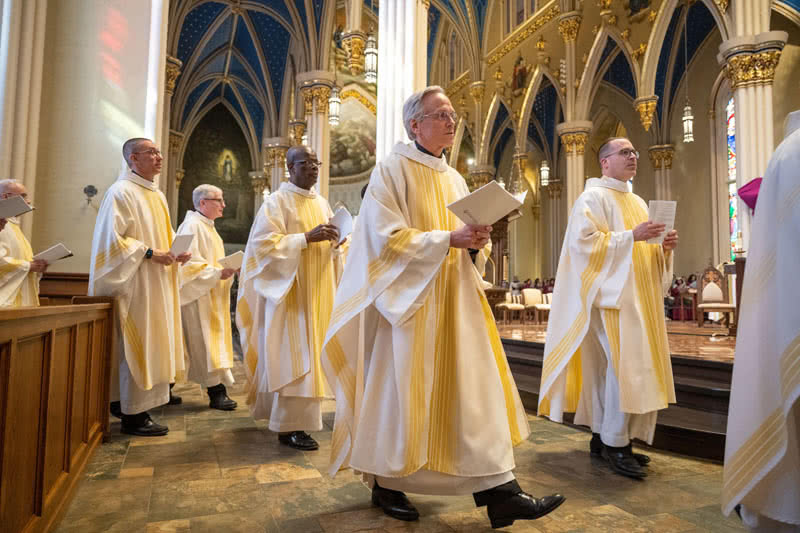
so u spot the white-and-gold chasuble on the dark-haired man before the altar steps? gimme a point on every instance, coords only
(602, 267)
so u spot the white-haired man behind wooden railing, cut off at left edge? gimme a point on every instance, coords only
(19, 271)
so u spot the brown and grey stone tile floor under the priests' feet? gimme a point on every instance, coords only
(225, 472)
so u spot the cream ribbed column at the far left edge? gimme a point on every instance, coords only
(22, 35)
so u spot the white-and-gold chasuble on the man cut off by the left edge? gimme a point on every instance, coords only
(18, 285)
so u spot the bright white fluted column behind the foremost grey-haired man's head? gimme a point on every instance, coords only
(402, 63)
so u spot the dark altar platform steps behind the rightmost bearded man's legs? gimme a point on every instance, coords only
(694, 426)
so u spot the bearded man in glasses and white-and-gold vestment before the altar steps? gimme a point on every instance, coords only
(606, 356)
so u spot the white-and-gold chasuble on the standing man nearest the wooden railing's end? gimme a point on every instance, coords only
(132, 218)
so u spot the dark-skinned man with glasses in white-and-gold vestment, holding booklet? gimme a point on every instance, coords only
(286, 292)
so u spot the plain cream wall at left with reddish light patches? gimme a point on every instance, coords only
(94, 87)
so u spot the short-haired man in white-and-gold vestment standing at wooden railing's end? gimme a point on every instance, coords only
(131, 261)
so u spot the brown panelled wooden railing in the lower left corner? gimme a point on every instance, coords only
(54, 376)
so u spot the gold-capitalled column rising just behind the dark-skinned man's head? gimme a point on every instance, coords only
(316, 88)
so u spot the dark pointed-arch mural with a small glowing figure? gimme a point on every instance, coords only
(217, 153)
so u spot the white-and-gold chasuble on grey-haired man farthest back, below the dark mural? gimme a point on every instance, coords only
(205, 300)
